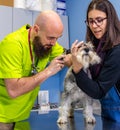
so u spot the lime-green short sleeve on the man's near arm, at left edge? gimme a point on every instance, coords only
(10, 59)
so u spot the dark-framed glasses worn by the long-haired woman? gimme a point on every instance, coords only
(98, 21)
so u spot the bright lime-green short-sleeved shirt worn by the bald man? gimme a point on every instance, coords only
(15, 62)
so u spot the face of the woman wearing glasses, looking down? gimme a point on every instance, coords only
(97, 22)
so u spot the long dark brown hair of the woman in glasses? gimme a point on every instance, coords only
(112, 36)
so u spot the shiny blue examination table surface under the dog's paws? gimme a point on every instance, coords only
(49, 122)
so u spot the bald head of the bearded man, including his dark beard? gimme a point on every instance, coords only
(47, 29)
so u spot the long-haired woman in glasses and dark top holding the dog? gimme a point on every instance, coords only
(103, 30)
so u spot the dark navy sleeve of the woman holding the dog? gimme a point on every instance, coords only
(109, 76)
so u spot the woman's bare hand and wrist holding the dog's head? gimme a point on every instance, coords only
(76, 66)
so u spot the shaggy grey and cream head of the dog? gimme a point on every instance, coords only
(87, 56)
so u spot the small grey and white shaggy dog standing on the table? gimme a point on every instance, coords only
(72, 94)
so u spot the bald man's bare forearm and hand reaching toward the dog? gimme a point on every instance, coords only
(20, 86)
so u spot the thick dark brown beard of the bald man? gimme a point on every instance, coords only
(39, 49)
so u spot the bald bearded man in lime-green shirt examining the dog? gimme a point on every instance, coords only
(24, 55)
